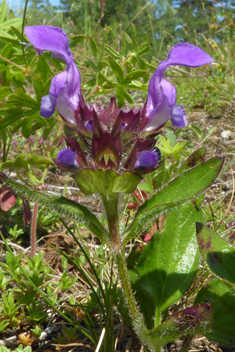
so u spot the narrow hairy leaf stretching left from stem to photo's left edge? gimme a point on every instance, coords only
(60, 205)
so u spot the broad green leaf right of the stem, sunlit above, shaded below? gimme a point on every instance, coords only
(169, 261)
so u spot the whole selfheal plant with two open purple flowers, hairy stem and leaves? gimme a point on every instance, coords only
(109, 151)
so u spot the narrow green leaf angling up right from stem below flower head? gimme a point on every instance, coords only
(185, 186)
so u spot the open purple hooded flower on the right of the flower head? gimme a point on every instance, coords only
(161, 99)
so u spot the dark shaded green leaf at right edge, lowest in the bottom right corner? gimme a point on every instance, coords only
(221, 295)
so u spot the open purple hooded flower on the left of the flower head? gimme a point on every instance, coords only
(65, 87)
